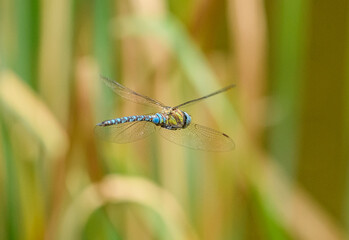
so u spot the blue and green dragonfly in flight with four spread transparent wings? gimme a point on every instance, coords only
(171, 123)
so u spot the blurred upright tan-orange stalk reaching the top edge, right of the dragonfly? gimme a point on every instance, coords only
(247, 23)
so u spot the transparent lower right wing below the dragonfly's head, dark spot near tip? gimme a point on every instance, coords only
(199, 137)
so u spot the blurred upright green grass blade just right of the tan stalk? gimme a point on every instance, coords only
(287, 53)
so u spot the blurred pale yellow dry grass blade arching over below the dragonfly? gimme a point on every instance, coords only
(120, 189)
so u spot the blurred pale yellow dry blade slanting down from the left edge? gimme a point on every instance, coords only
(21, 101)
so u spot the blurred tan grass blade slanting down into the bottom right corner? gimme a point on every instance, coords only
(299, 213)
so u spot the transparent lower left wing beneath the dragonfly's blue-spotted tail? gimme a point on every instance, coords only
(125, 132)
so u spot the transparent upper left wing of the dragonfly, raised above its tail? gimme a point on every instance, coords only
(131, 95)
